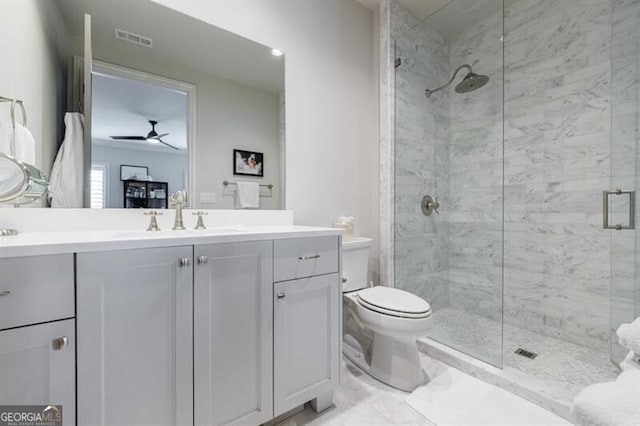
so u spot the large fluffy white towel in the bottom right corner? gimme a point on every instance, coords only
(609, 404)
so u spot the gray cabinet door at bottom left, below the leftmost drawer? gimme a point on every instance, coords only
(34, 370)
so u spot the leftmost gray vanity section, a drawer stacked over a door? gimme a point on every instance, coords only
(37, 332)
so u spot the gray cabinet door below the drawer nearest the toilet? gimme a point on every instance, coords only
(306, 340)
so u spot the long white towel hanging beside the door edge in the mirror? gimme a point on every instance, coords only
(67, 174)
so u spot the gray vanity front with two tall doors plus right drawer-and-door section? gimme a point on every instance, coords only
(205, 335)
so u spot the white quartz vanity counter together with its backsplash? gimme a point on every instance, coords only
(55, 231)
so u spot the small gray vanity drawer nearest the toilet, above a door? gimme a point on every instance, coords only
(304, 257)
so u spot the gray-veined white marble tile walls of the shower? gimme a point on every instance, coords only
(557, 160)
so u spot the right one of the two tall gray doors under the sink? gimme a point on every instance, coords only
(233, 332)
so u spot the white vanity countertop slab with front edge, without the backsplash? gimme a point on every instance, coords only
(43, 243)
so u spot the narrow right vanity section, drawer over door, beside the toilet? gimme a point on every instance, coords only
(307, 326)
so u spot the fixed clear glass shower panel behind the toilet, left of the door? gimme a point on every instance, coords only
(449, 144)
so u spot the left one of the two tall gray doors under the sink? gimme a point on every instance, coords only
(134, 322)
